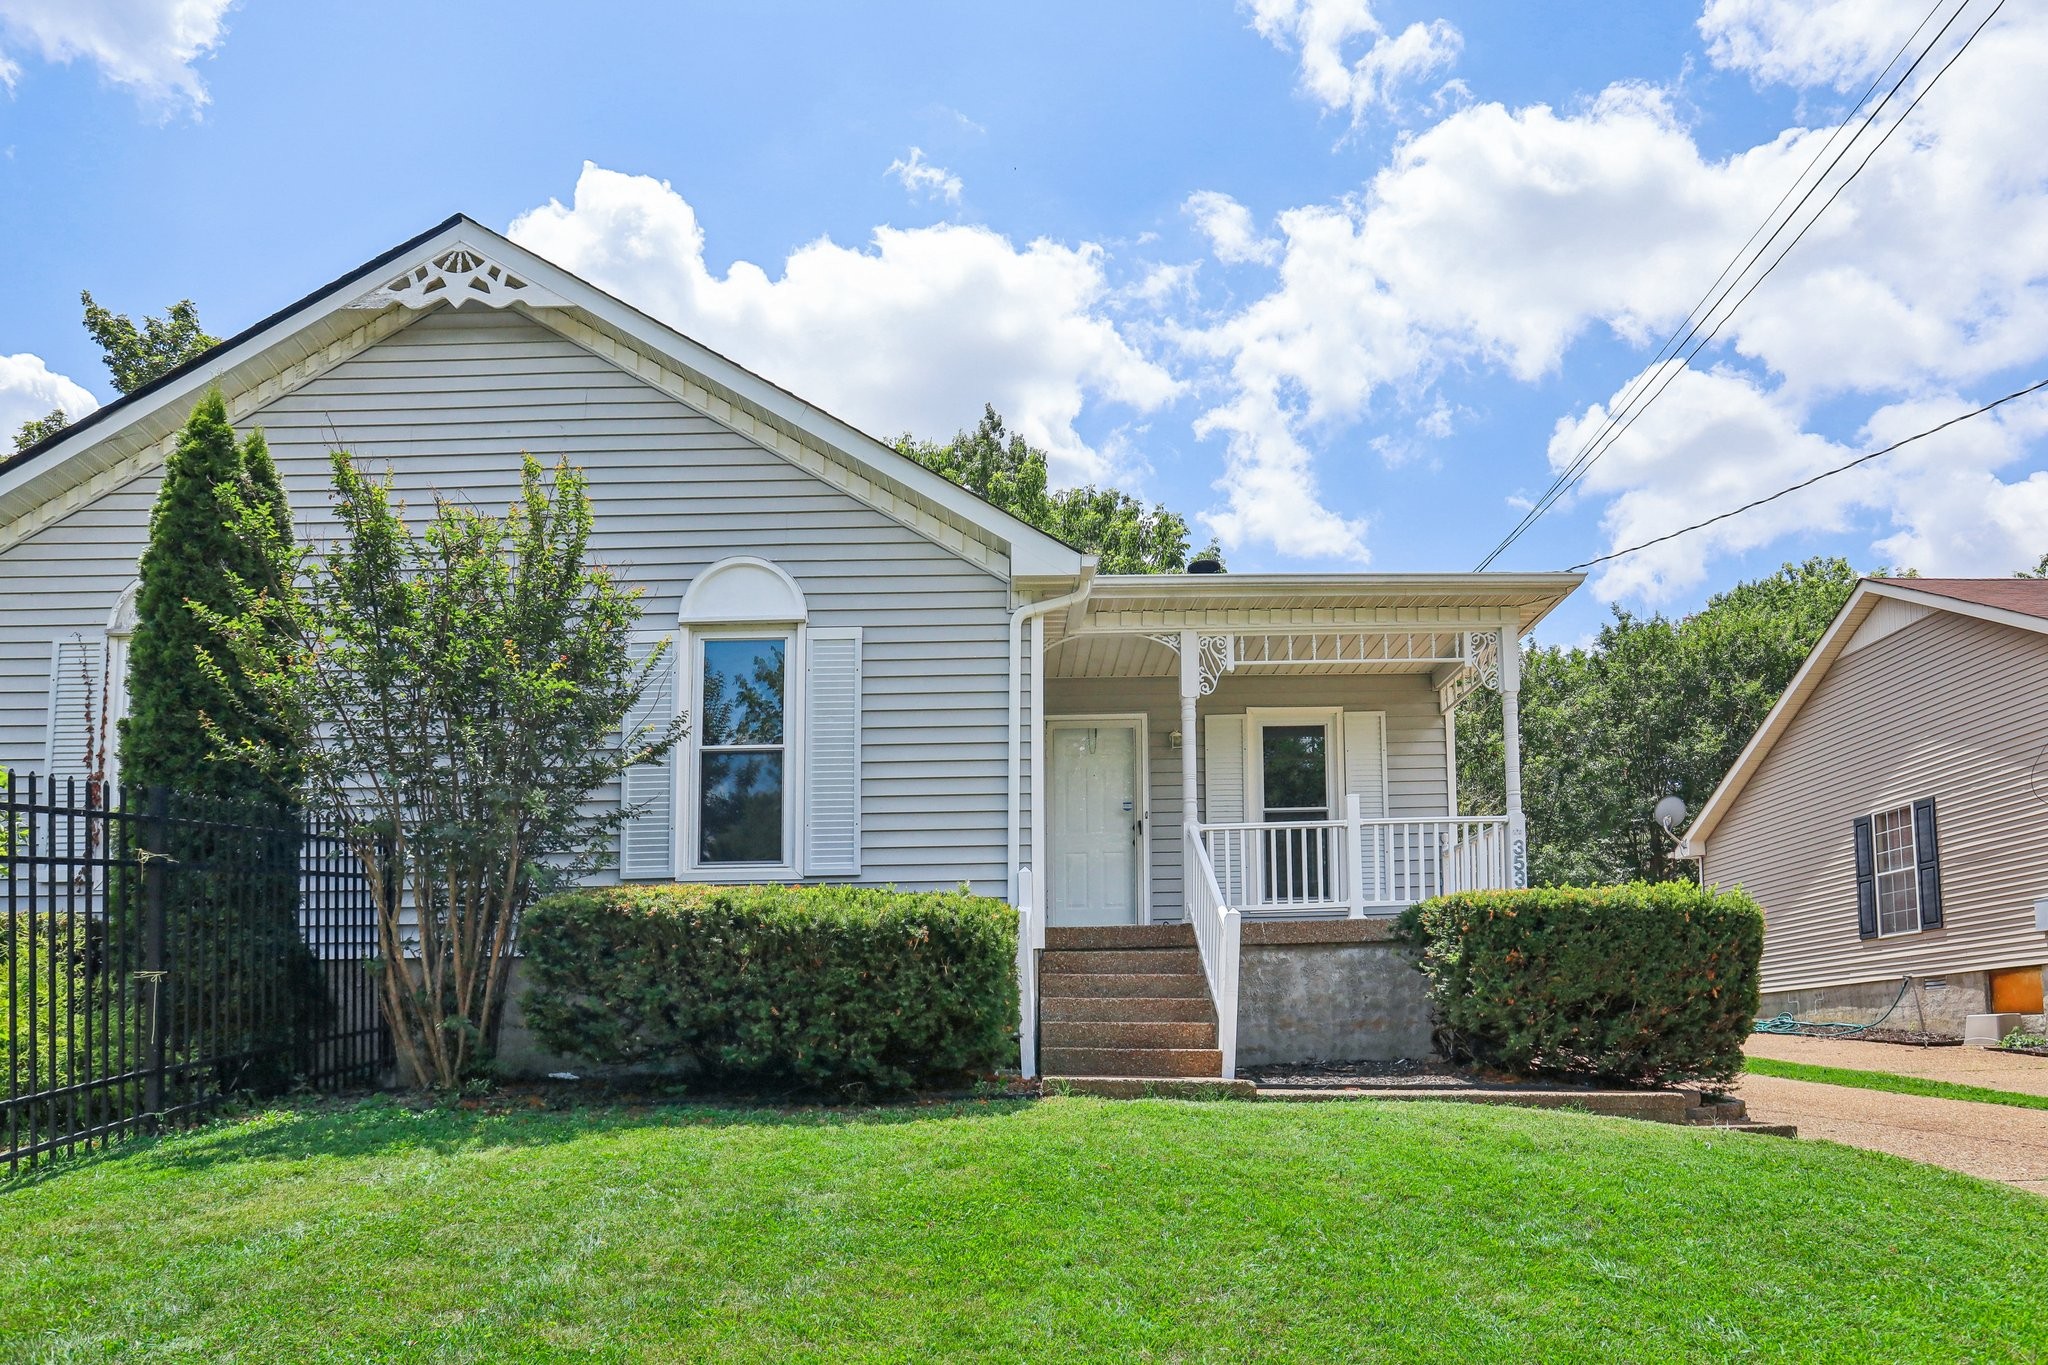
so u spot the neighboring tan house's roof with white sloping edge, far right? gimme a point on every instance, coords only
(2008, 603)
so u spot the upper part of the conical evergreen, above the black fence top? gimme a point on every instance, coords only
(202, 554)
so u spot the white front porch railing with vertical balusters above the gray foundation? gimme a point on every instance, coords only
(1353, 867)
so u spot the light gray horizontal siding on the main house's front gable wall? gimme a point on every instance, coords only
(452, 402)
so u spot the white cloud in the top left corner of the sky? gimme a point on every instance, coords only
(146, 46)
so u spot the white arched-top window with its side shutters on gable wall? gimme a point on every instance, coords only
(767, 787)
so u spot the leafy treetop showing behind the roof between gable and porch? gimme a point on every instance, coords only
(1005, 470)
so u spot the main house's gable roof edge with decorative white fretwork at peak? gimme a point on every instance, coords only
(353, 312)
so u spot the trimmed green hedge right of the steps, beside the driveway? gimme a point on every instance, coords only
(1627, 983)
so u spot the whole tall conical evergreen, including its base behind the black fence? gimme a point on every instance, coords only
(247, 983)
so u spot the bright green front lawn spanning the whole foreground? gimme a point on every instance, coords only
(1009, 1231)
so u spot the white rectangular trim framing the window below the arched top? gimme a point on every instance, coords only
(689, 856)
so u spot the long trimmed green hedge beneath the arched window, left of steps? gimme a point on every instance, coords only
(818, 985)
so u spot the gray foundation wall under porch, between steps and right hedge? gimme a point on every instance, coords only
(1332, 992)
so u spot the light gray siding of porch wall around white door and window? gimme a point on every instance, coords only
(1416, 779)
